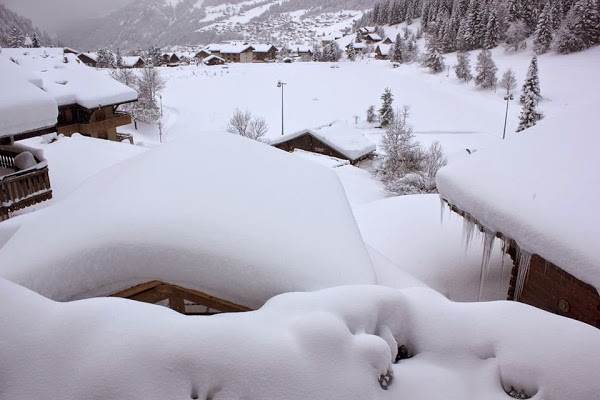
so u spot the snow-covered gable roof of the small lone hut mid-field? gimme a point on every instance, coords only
(339, 135)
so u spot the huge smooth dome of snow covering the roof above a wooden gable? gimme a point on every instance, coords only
(218, 213)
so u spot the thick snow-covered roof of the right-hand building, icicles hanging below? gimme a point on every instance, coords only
(539, 189)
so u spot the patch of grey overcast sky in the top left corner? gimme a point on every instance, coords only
(52, 14)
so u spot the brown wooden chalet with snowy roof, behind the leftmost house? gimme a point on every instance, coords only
(87, 100)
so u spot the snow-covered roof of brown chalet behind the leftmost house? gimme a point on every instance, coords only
(72, 82)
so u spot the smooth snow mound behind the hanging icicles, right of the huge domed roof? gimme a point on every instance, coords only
(408, 231)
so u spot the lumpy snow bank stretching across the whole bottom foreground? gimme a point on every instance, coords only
(334, 345)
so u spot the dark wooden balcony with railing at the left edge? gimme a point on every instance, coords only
(24, 188)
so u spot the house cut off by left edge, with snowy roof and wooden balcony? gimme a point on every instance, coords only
(24, 107)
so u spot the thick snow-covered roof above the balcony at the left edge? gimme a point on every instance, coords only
(24, 107)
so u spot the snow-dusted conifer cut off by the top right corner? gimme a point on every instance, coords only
(580, 29)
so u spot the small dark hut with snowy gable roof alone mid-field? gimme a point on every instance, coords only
(338, 139)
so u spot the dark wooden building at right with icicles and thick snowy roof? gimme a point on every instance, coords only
(550, 230)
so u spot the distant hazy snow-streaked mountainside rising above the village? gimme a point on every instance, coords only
(180, 22)
